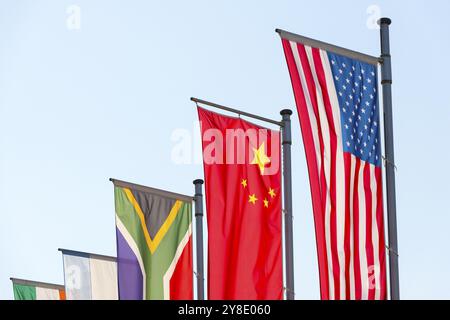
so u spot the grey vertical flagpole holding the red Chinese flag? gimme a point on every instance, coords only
(288, 221)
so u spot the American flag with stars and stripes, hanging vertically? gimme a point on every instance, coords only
(337, 103)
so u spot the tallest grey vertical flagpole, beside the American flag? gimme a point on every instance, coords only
(386, 82)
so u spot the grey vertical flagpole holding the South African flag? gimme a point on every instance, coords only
(198, 199)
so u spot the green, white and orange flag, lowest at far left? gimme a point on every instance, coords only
(33, 290)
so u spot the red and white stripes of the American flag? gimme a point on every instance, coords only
(346, 191)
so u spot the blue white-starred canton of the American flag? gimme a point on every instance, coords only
(356, 87)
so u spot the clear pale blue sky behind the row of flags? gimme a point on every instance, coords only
(80, 106)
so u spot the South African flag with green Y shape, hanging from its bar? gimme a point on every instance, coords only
(154, 247)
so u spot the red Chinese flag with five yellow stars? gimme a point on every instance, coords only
(243, 201)
